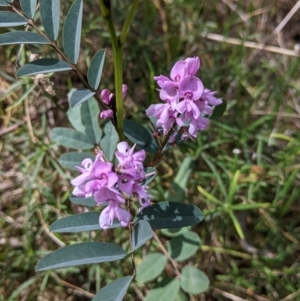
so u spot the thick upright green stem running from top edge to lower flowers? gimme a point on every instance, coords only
(118, 68)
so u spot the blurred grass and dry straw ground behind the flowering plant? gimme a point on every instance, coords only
(249, 157)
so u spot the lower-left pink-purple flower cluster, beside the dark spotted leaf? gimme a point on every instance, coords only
(112, 185)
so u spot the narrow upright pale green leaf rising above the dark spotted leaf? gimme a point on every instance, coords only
(176, 192)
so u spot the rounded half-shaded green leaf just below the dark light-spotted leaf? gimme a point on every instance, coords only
(184, 246)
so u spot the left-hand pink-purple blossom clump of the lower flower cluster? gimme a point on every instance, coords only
(95, 176)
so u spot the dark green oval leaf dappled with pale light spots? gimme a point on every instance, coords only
(165, 215)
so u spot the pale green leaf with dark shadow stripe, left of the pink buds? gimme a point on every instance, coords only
(85, 119)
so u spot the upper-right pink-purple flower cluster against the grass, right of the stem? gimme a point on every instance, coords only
(186, 101)
